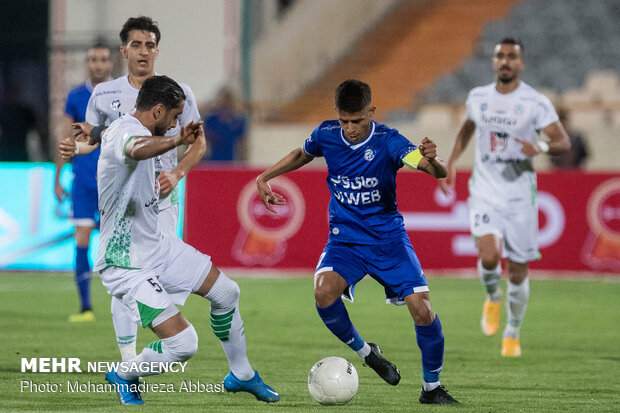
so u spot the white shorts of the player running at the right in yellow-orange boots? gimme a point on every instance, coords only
(518, 228)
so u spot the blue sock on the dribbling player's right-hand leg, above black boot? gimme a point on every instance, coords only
(430, 340)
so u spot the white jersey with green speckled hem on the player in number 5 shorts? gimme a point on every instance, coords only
(128, 200)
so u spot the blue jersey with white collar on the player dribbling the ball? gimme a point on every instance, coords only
(362, 181)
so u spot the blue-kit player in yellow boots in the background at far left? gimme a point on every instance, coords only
(85, 212)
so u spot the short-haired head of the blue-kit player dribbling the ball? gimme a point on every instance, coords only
(354, 109)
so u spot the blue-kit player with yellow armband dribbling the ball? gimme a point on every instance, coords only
(366, 231)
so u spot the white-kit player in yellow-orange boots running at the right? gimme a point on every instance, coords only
(507, 117)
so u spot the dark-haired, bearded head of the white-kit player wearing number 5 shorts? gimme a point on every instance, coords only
(164, 99)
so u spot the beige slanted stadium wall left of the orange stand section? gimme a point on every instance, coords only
(304, 43)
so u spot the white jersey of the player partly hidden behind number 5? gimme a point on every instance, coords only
(110, 100)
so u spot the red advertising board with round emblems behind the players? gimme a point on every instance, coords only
(579, 220)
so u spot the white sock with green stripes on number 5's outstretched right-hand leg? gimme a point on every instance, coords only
(227, 325)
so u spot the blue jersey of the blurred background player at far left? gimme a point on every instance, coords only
(84, 166)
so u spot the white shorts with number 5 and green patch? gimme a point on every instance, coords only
(146, 292)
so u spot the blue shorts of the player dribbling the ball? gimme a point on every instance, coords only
(394, 264)
